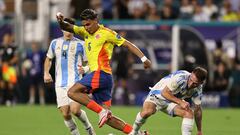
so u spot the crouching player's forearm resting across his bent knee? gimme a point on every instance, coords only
(166, 93)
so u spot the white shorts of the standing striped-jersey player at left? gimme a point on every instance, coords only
(61, 95)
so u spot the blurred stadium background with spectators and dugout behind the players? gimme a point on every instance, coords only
(174, 34)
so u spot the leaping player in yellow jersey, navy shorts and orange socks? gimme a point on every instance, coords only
(99, 44)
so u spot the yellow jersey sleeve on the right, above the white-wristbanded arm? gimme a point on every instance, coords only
(115, 38)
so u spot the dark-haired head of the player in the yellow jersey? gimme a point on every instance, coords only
(89, 19)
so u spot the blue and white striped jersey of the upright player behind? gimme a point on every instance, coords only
(69, 54)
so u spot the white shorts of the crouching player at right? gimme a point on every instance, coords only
(161, 103)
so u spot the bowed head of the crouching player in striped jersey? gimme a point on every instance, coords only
(197, 77)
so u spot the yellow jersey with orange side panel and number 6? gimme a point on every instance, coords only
(99, 47)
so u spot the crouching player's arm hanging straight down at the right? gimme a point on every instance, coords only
(198, 118)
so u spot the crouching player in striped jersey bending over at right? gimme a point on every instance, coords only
(168, 96)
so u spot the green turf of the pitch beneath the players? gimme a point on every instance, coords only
(46, 120)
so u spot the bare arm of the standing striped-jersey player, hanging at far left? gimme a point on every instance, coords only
(47, 65)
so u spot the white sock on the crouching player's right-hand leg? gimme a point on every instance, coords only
(187, 126)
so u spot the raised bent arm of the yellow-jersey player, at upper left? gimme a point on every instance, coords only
(63, 24)
